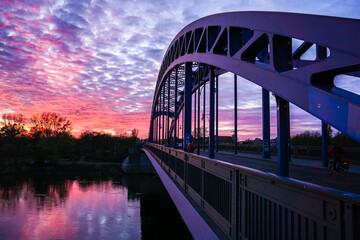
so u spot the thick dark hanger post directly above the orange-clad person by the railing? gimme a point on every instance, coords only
(187, 104)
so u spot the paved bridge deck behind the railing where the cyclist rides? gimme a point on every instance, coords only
(354, 168)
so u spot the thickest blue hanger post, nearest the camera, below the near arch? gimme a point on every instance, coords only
(283, 135)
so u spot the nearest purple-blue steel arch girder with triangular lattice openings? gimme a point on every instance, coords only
(307, 84)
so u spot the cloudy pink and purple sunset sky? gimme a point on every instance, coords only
(96, 61)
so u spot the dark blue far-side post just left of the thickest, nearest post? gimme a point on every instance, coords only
(266, 123)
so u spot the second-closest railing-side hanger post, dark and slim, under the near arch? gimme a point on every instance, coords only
(212, 114)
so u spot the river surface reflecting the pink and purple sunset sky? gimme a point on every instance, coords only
(133, 207)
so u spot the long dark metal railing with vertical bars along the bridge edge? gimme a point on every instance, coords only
(249, 204)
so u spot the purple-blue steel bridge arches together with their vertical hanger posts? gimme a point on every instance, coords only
(266, 48)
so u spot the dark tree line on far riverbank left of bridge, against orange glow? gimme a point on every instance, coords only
(46, 137)
